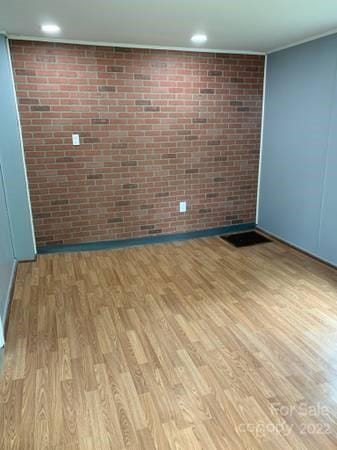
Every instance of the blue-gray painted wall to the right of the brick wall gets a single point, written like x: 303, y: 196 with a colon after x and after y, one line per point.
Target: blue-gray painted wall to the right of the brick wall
x: 298, y: 181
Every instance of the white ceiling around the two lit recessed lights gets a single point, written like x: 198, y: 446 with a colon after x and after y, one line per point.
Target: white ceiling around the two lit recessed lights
x: 238, y: 25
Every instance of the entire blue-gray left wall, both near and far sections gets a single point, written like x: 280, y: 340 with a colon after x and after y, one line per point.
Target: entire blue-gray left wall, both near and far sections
x: 16, y: 231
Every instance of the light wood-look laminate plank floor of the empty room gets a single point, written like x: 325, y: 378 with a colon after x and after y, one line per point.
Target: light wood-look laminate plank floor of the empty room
x: 176, y: 346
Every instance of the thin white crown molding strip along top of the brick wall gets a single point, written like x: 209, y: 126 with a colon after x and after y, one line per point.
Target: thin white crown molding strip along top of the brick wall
x: 150, y: 47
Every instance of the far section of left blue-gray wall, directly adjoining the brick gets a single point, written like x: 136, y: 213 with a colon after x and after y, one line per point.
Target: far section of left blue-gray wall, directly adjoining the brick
x: 13, y: 164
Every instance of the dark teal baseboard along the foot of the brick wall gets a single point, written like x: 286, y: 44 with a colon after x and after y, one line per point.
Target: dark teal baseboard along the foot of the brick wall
x: 134, y: 242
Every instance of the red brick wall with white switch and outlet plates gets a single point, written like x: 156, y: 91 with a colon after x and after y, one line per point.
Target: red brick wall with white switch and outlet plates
x: 156, y: 127
